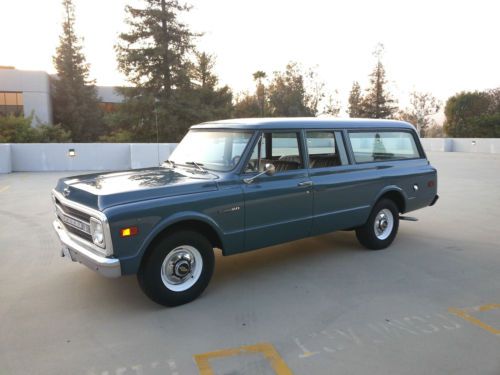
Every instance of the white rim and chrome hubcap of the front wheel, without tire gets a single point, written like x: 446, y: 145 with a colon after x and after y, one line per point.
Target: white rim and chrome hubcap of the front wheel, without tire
x: 181, y: 268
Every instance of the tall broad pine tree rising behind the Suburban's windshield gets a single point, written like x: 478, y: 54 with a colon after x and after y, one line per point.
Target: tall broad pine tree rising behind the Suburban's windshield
x: 154, y: 55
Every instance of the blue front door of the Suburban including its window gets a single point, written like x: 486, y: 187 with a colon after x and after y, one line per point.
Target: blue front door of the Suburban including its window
x: 278, y: 208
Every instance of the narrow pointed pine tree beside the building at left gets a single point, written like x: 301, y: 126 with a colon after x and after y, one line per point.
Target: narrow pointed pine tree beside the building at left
x: 74, y: 96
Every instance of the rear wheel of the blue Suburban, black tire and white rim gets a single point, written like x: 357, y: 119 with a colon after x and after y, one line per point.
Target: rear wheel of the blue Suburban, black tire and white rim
x: 381, y: 227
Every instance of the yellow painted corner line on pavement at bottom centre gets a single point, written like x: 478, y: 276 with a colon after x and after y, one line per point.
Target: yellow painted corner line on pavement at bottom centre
x: 270, y: 353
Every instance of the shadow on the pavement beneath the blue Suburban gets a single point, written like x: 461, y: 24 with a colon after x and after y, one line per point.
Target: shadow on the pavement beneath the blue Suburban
x: 124, y: 294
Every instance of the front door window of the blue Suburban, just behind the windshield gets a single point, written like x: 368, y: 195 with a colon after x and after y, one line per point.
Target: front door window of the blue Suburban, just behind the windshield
x: 278, y: 148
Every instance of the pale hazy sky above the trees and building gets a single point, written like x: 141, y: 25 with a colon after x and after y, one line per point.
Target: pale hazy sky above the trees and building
x: 436, y: 46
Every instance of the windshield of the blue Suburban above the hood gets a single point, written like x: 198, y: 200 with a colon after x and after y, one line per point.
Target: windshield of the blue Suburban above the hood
x: 213, y: 150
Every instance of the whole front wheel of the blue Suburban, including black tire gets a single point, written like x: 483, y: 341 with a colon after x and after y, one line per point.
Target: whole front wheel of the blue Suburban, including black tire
x: 177, y: 269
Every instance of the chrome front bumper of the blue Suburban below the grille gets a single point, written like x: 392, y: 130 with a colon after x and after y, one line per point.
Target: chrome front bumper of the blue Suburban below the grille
x: 108, y: 267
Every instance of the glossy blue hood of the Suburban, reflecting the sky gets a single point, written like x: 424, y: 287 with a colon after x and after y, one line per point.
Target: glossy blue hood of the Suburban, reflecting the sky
x: 102, y: 190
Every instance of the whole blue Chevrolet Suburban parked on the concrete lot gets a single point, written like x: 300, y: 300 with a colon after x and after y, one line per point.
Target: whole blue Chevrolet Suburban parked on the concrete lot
x: 239, y: 185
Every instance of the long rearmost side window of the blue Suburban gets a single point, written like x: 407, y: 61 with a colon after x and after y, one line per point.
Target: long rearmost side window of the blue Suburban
x: 382, y: 145
